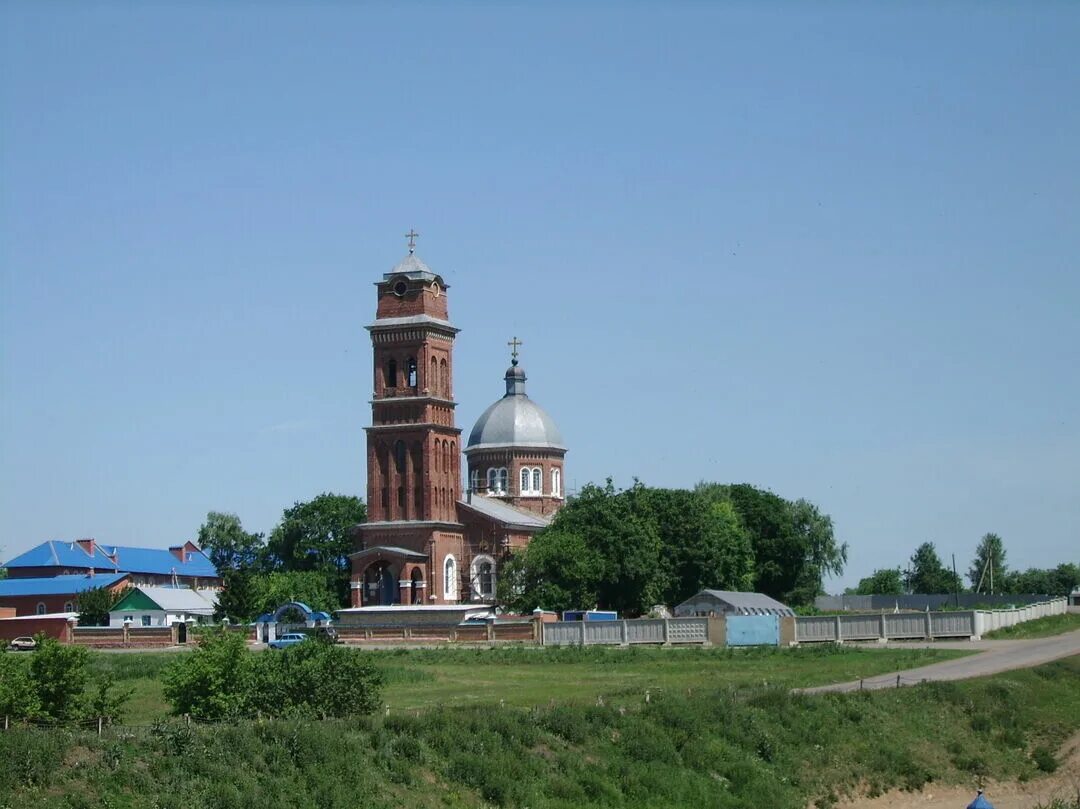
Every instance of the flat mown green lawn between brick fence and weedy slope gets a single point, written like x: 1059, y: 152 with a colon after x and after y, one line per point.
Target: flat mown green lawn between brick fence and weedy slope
x: 425, y: 679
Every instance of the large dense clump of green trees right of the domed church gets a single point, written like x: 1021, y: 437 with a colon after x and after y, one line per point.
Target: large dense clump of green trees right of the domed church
x: 632, y: 549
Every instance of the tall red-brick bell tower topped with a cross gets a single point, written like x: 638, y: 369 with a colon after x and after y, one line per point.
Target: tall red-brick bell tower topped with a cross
x: 414, y: 468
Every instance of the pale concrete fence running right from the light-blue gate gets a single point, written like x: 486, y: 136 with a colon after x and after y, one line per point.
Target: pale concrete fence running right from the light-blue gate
x: 919, y: 626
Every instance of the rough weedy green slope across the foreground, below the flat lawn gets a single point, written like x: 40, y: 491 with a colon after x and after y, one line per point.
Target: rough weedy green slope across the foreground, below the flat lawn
x: 715, y: 747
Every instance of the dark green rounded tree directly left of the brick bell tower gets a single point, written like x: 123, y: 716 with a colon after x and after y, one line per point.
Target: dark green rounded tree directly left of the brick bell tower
x: 317, y: 536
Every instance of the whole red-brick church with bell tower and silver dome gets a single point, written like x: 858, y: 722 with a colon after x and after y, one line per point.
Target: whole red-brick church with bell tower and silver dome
x: 433, y: 538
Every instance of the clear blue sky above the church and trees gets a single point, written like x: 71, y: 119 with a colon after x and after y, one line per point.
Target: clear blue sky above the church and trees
x: 829, y: 249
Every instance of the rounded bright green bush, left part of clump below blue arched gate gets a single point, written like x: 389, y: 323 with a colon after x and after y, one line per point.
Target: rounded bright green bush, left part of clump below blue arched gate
x: 215, y: 681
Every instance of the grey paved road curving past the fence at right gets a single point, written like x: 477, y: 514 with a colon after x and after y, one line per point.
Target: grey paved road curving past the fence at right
x: 993, y: 657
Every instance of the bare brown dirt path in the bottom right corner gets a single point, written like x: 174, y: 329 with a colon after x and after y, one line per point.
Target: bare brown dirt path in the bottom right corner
x: 1065, y: 784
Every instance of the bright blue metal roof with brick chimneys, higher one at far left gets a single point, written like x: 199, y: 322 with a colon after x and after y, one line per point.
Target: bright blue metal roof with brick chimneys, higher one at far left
x: 160, y: 561
